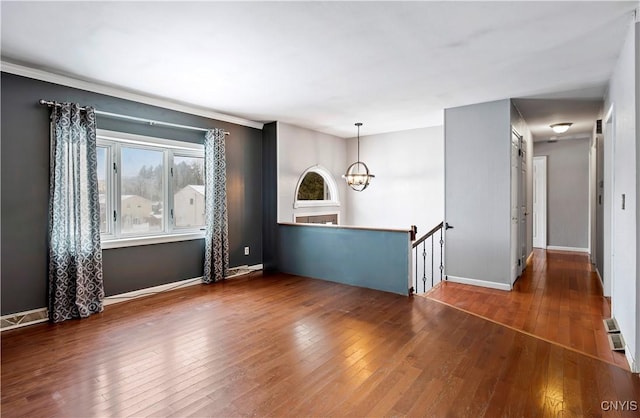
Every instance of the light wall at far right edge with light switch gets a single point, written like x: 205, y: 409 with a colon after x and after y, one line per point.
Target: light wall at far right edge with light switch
x: 621, y: 144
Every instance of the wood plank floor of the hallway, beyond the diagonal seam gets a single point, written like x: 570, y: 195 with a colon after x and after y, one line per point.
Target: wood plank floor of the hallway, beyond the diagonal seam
x: 559, y: 298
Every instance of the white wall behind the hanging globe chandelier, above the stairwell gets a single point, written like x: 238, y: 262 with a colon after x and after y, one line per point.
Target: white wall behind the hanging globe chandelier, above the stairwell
x: 409, y: 185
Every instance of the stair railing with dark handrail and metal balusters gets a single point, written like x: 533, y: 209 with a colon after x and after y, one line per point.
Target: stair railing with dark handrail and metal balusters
x: 429, y: 258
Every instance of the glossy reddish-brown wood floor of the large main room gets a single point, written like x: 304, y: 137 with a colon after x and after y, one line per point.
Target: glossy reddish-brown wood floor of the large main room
x: 281, y: 345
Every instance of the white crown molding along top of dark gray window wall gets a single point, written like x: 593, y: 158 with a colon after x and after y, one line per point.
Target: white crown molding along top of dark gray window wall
x: 21, y: 70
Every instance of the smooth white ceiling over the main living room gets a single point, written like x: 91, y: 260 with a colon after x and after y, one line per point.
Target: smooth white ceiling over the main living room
x: 326, y: 65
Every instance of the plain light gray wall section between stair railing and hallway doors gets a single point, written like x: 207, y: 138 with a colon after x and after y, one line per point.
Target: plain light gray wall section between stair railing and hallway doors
x: 477, y: 192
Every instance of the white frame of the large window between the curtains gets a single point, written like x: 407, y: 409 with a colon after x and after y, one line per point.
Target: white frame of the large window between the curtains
x: 113, y: 142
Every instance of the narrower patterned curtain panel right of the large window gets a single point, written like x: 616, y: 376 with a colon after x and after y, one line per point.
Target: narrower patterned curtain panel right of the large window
x: 216, y: 240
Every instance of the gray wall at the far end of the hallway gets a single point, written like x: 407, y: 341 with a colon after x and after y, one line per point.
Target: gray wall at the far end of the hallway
x: 567, y: 192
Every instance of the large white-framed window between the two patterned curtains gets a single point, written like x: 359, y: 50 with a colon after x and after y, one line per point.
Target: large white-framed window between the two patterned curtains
x: 151, y: 189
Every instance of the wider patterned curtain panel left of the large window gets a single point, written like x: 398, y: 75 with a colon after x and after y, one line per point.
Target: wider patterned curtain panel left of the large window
x: 75, y: 256
